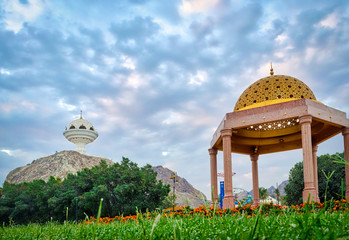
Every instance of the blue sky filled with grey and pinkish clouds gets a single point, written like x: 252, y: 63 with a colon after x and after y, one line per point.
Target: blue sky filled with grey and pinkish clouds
x: 155, y: 78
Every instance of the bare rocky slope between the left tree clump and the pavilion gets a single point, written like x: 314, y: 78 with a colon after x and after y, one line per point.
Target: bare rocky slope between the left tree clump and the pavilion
x: 186, y: 194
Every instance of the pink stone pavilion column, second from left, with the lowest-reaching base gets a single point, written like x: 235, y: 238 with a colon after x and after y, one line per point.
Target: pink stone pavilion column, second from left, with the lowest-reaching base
x: 228, y: 201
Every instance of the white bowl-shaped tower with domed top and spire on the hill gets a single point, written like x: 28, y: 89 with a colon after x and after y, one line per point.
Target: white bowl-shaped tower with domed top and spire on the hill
x: 80, y: 132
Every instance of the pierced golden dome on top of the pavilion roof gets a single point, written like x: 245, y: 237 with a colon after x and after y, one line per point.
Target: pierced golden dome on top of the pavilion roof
x: 273, y: 89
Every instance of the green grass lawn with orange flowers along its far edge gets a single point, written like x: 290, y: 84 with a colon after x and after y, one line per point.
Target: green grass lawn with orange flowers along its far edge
x: 266, y: 222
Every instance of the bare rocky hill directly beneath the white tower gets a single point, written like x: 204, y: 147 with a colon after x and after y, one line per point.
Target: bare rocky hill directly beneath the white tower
x: 59, y: 165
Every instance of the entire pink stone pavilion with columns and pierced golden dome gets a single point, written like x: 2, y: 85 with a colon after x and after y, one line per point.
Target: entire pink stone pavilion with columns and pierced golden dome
x: 275, y: 114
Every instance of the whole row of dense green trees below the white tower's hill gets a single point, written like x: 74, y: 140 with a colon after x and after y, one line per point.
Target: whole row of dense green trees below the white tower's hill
x: 124, y: 186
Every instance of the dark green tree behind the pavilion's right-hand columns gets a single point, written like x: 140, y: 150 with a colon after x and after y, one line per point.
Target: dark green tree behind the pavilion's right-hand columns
x: 294, y: 188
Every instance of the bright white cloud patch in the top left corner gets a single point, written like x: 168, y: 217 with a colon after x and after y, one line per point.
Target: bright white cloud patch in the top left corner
x: 16, y: 13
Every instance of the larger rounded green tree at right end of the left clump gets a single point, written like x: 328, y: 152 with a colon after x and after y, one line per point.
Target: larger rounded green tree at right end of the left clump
x: 124, y: 187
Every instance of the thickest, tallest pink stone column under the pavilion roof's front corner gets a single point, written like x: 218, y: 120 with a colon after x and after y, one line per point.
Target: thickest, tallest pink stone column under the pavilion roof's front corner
x: 308, y: 168
